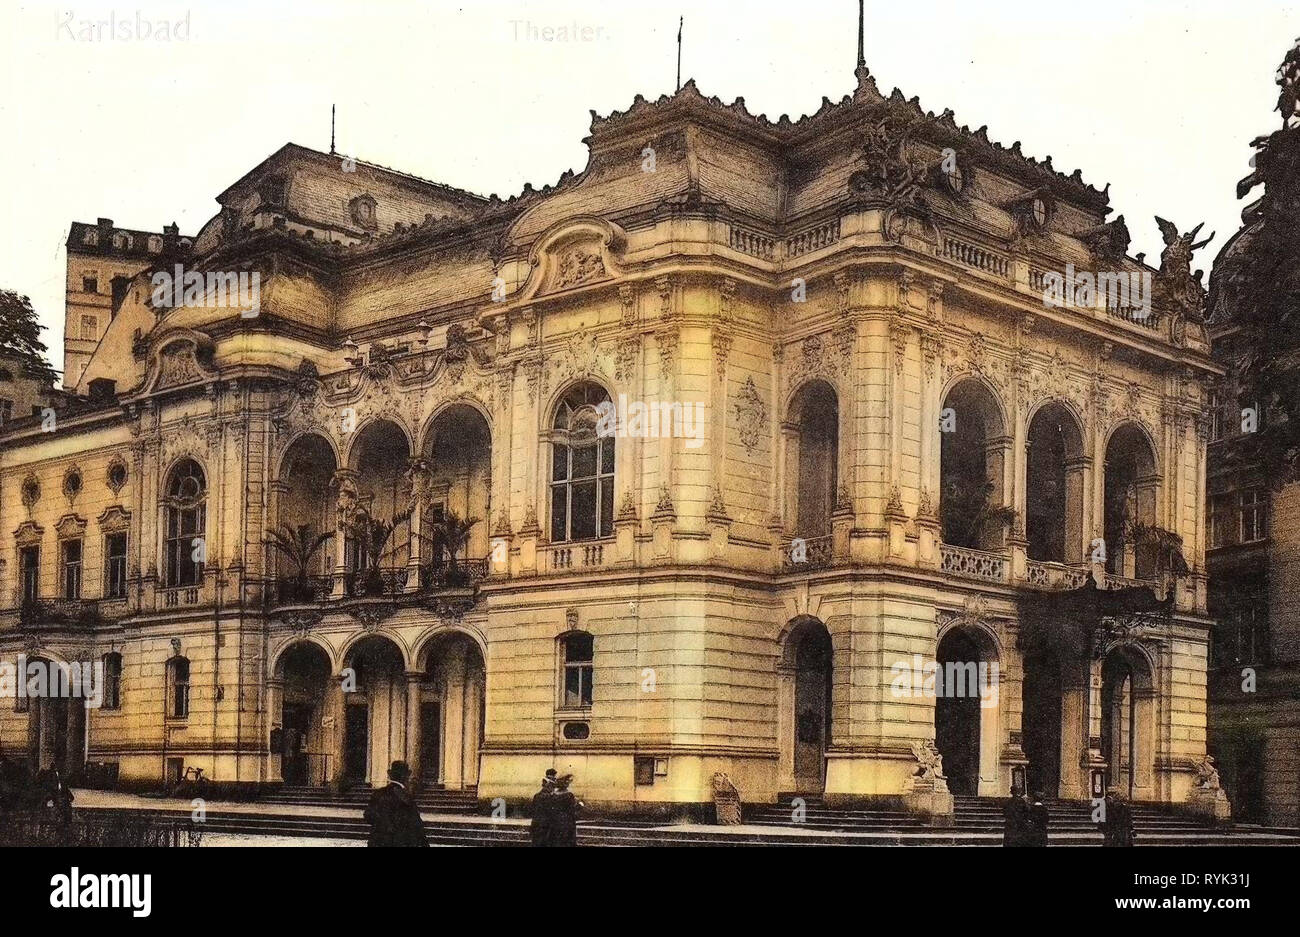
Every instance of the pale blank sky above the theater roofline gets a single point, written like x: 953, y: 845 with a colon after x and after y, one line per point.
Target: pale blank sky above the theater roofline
x: 1162, y: 99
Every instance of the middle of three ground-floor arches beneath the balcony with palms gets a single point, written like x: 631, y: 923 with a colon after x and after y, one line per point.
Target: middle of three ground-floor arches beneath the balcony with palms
x: 375, y: 702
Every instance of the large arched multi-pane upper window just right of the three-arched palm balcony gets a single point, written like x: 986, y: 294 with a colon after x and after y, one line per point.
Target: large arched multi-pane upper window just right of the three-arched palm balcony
x: 582, y: 468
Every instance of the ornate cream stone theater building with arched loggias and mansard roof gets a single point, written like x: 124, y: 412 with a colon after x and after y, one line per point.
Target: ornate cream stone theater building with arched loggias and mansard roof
x: 643, y: 613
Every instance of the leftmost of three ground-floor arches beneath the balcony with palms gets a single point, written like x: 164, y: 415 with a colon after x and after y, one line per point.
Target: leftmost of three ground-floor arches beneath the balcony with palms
x: 305, y: 753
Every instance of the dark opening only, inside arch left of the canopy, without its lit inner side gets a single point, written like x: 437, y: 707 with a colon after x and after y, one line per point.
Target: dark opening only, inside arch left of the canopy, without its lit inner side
x: 957, y: 713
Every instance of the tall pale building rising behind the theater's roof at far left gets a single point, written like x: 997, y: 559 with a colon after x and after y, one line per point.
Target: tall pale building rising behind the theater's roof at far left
x: 102, y: 261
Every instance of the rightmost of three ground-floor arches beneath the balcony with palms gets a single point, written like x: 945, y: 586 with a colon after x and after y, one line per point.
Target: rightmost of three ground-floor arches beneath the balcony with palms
x: 450, y: 697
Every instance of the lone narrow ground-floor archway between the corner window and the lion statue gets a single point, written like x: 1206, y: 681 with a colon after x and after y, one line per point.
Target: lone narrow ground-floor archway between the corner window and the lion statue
x: 807, y: 678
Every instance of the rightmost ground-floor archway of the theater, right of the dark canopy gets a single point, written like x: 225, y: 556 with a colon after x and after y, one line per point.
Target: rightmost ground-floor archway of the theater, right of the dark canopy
x: 1129, y: 722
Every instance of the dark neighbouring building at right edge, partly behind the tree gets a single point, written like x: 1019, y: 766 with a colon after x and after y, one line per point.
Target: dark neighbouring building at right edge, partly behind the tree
x: 1254, y: 558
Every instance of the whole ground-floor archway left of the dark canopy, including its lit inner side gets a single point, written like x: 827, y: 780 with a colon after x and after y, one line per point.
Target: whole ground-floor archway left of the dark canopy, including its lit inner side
x: 967, y: 709
